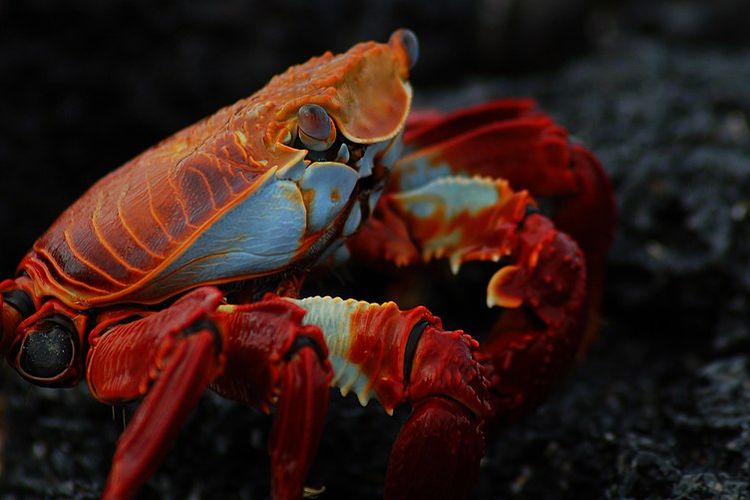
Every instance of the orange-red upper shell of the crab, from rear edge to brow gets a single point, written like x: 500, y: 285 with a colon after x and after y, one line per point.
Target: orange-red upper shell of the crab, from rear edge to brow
x: 131, y: 225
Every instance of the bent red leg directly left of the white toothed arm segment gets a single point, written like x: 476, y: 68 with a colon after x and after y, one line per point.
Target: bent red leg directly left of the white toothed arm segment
x: 273, y: 359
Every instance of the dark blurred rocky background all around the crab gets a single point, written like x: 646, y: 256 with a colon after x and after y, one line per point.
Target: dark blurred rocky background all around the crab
x: 659, y: 90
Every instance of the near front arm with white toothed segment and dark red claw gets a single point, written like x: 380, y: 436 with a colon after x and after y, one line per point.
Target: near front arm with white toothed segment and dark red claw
x: 394, y: 356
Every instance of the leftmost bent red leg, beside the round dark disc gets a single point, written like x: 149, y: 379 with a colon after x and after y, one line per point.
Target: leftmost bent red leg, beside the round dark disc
x: 169, y: 357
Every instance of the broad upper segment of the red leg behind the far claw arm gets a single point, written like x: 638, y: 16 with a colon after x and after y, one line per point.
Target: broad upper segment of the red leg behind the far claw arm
x: 502, y: 139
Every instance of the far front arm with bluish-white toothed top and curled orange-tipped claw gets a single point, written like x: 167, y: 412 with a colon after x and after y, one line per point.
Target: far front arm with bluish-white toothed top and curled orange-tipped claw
x: 541, y: 281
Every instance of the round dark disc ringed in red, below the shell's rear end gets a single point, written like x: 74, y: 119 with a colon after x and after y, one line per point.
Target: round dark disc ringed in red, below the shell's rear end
x: 48, y: 352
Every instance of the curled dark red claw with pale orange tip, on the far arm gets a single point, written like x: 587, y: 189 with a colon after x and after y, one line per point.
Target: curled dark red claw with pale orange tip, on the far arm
x: 536, y: 339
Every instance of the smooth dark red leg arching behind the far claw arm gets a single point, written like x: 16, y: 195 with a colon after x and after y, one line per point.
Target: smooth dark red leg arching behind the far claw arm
x: 509, y: 139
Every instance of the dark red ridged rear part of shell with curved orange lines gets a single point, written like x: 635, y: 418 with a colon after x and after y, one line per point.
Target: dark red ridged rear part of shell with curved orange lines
x: 134, y: 220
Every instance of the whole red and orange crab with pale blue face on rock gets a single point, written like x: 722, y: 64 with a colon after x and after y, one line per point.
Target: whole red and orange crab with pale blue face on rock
x: 182, y: 270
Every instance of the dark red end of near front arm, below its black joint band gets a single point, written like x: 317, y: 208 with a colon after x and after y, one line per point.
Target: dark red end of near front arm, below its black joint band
x: 438, y: 450
